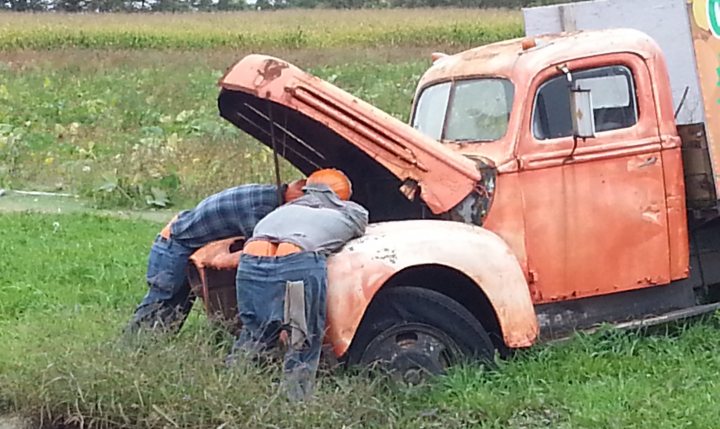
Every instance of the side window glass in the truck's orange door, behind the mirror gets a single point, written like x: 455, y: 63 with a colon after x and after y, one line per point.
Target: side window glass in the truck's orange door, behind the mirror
x: 613, y: 98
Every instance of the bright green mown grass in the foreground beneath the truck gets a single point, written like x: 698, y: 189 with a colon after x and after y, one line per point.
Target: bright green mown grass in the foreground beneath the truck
x: 70, y: 282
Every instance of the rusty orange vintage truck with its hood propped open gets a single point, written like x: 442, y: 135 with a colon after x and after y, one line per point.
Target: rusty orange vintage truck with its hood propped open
x: 544, y: 184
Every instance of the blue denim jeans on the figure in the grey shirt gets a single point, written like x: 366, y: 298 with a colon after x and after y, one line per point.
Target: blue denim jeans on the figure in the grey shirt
x: 262, y: 284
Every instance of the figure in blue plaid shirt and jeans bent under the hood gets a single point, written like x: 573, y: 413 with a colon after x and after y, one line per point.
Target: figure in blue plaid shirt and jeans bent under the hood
x: 229, y: 213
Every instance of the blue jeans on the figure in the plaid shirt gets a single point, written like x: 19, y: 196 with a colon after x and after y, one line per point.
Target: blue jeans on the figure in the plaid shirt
x: 169, y: 299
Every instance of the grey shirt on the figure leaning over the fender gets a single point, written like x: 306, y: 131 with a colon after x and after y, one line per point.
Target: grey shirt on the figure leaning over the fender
x: 318, y: 221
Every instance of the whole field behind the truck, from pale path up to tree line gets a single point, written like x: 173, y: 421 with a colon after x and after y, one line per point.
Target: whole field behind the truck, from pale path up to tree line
x: 122, y: 108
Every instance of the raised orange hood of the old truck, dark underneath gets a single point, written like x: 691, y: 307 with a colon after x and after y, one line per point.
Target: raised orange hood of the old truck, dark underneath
x: 318, y: 125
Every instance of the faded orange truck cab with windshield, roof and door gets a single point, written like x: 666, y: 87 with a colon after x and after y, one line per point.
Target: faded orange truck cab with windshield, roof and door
x: 616, y: 198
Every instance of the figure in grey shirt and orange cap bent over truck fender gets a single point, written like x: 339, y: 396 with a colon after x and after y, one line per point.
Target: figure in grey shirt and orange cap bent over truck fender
x: 282, y: 276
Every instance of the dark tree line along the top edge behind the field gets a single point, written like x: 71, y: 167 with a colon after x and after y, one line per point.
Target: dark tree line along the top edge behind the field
x: 229, y: 5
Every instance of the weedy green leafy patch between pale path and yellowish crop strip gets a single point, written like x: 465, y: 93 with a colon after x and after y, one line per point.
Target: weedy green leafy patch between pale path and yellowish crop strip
x: 118, y: 132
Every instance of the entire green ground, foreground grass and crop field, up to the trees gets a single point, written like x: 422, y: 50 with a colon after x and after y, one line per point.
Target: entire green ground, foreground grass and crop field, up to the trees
x: 121, y: 110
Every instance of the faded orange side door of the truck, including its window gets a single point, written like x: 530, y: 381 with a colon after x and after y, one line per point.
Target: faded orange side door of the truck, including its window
x: 596, y: 218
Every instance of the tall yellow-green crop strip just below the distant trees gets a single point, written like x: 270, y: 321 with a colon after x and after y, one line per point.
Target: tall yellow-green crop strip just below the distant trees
x: 259, y: 30
